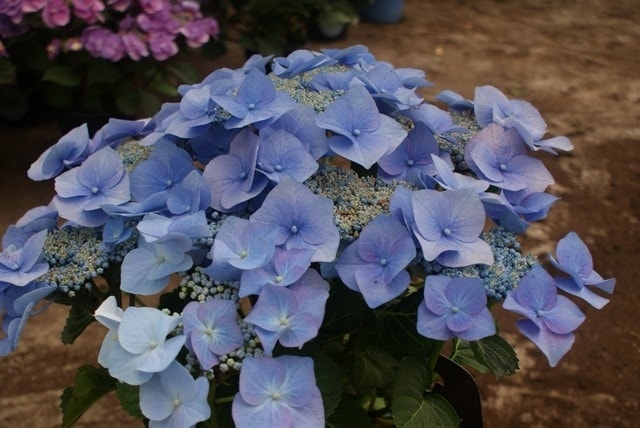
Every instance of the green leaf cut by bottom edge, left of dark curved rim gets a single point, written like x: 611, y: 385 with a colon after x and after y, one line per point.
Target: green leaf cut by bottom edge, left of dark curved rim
x: 431, y: 412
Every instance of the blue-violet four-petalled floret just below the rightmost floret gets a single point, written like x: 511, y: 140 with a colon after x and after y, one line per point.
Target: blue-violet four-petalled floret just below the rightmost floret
x: 550, y: 318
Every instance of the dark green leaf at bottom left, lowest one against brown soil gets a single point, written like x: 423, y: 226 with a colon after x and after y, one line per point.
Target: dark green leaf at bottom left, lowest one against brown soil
x: 90, y: 384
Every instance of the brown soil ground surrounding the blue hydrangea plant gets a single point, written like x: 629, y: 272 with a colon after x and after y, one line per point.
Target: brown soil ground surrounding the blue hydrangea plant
x: 578, y: 62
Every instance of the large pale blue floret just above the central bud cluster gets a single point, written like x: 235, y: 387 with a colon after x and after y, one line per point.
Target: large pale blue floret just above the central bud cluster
x: 361, y: 133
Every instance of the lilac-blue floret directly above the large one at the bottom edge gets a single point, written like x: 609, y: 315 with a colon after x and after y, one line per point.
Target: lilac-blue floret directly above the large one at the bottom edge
x: 287, y: 316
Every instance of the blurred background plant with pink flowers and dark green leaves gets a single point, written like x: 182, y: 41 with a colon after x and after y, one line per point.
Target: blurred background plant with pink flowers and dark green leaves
x: 114, y: 57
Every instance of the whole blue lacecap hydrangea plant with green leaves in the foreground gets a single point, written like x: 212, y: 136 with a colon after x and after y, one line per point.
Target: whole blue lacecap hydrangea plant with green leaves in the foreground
x: 316, y: 236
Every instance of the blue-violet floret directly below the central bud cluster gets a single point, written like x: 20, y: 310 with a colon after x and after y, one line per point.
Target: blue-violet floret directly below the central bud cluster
x: 375, y: 263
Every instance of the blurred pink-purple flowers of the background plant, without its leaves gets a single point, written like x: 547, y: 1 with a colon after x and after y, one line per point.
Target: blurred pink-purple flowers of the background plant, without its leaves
x: 109, y: 29
